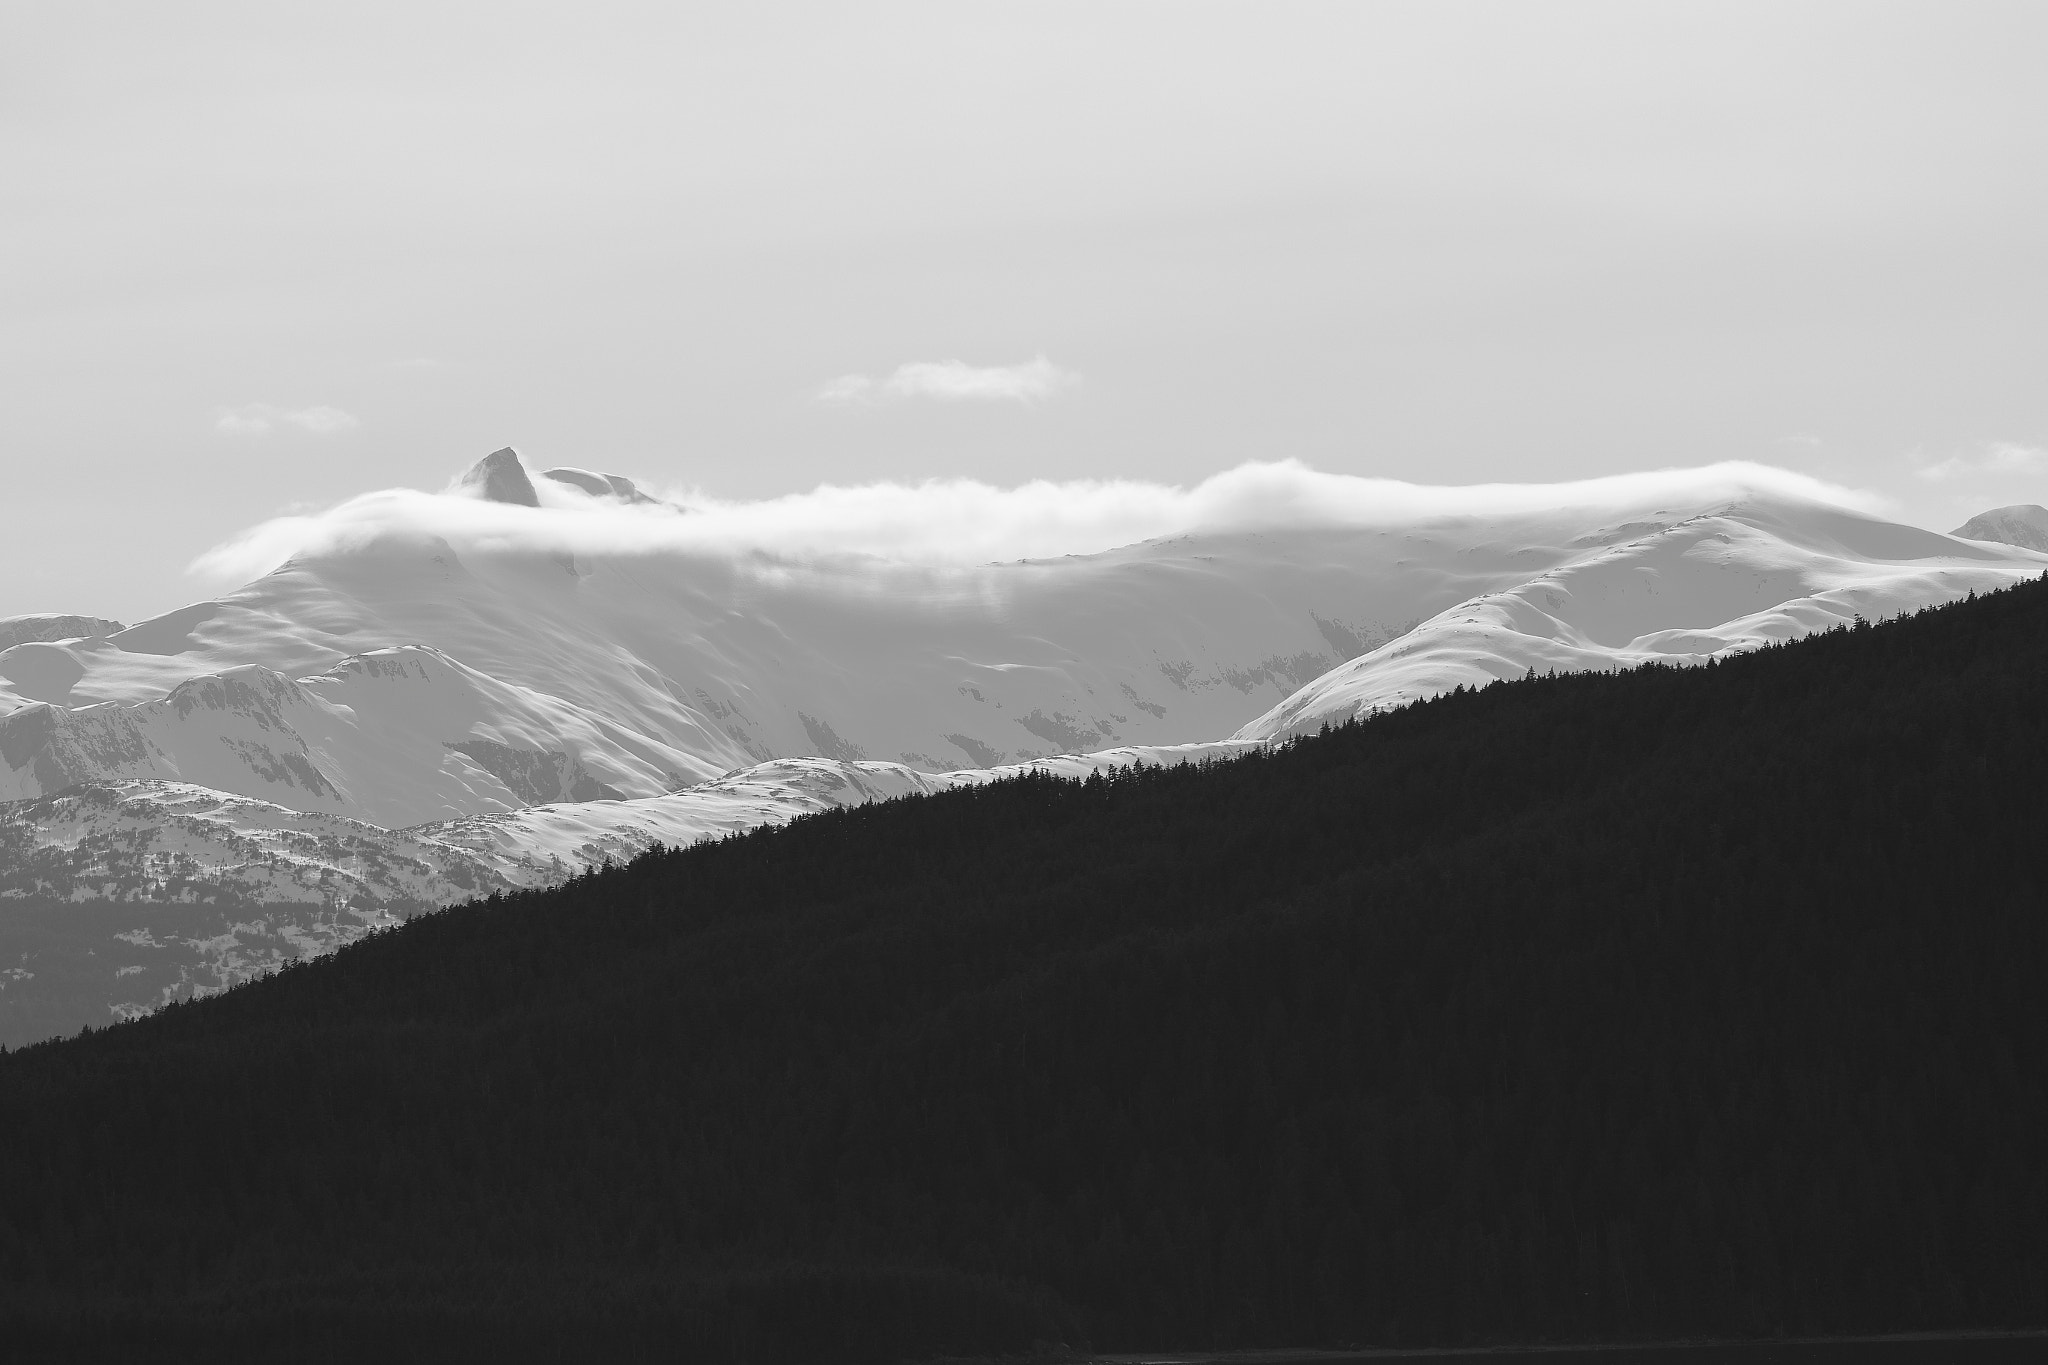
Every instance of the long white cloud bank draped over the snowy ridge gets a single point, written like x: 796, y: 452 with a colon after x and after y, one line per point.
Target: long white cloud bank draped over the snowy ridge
x: 964, y: 523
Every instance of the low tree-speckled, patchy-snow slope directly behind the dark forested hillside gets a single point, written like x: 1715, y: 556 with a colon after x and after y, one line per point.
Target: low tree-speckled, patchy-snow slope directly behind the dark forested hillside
x: 120, y: 897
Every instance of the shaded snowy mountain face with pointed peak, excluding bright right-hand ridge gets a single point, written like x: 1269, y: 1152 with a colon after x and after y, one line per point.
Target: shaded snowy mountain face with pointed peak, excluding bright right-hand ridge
x: 409, y: 678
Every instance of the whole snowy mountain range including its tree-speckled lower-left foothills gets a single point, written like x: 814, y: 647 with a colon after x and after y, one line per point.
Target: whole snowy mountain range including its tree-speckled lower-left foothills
x: 519, y: 678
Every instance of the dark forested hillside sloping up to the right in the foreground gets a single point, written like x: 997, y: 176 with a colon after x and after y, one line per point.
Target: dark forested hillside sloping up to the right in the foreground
x: 1687, y: 1002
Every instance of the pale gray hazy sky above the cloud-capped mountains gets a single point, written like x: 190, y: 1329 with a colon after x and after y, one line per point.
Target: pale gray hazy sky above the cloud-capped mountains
x: 278, y: 255
